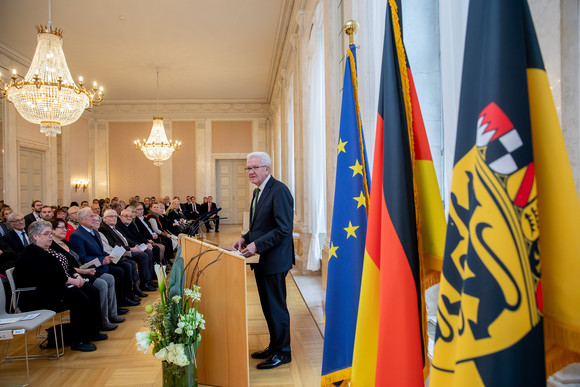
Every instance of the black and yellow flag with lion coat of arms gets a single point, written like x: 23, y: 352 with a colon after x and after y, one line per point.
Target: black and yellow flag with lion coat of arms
x: 513, y: 209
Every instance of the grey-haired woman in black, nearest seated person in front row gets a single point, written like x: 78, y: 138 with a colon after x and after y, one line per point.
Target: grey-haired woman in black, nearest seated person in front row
x: 57, y: 288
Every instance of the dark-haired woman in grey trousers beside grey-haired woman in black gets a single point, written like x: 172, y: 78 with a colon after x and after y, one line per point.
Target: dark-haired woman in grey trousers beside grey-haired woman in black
x: 105, y: 283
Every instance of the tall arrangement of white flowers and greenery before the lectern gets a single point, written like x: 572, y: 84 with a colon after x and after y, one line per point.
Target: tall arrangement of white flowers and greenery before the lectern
x: 175, y: 323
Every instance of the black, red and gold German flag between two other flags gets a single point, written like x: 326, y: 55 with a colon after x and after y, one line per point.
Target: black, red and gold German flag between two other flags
x: 405, y: 233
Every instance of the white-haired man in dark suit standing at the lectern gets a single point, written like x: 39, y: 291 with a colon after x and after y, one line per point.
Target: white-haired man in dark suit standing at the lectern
x: 270, y: 235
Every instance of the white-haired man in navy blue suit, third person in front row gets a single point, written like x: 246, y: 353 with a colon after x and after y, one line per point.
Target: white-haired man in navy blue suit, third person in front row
x: 88, y: 245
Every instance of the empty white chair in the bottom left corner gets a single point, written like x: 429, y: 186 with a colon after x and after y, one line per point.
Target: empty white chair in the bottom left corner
x: 7, y: 330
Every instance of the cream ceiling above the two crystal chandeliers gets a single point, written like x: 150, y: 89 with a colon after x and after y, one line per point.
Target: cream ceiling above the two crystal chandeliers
x: 218, y: 50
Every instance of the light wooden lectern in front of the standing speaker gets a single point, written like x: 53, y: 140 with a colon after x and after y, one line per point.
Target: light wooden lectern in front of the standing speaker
x: 222, y: 358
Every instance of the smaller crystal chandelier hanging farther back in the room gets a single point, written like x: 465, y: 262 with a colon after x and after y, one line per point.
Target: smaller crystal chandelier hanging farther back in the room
x: 157, y: 148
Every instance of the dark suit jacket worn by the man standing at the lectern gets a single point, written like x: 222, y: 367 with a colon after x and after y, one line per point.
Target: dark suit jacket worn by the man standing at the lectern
x: 271, y: 230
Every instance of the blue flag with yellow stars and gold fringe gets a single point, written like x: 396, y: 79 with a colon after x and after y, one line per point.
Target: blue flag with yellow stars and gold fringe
x: 348, y: 234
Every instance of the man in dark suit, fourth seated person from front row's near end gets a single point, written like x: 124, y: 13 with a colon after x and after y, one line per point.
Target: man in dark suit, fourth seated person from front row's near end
x: 143, y: 259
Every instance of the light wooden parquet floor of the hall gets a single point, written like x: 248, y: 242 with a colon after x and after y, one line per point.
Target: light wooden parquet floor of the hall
x: 117, y: 362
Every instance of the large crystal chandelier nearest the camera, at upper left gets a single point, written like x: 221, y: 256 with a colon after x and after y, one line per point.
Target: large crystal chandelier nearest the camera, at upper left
x: 48, y: 95
